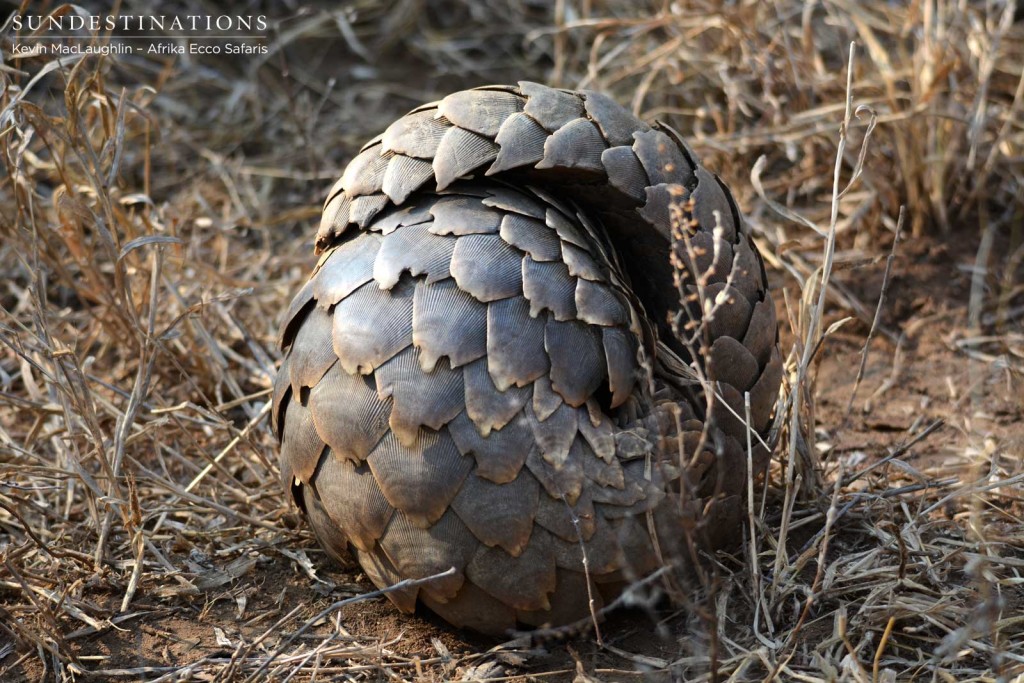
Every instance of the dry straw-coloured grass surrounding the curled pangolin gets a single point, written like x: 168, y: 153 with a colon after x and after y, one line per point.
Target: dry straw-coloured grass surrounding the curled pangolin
x: 156, y: 216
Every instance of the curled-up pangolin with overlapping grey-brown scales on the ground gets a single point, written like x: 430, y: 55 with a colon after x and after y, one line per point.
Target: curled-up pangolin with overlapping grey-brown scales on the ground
x: 490, y: 368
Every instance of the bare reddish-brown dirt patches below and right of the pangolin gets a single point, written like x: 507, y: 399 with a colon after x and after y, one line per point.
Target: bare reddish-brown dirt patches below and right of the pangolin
x: 918, y: 373
